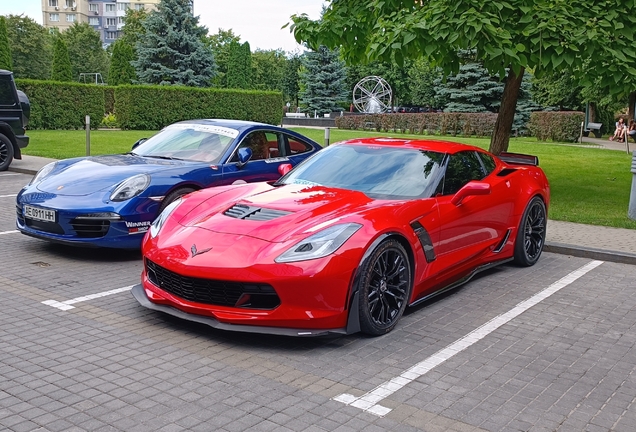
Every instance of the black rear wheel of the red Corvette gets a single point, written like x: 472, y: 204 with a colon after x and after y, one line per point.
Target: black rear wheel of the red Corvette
x: 531, y: 233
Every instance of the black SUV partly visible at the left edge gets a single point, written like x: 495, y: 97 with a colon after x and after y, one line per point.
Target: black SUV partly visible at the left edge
x: 14, y: 116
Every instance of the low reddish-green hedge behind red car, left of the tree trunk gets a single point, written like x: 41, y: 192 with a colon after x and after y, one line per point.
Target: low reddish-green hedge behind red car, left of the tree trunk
x: 467, y: 124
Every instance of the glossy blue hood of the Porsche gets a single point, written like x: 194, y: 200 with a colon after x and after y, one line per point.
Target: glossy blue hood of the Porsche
x: 93, y: 174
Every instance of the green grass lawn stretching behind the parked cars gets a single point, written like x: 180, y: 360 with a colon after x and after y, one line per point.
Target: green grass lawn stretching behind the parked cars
x: 588, y: 185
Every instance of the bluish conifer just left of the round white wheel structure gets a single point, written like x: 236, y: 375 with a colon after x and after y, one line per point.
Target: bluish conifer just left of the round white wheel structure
x: 323, y: 81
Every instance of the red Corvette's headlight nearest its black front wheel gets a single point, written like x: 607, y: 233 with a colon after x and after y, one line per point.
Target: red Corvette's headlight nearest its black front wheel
x: 320, y: 244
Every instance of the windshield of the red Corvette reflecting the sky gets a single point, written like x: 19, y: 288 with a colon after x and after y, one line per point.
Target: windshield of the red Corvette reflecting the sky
x: 379, y: 172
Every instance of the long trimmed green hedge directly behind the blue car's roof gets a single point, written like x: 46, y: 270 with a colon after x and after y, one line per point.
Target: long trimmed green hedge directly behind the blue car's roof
x: 153, y: 107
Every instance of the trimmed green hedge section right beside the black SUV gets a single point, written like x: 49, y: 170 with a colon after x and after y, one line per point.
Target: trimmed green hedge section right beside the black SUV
x: 62, y: 105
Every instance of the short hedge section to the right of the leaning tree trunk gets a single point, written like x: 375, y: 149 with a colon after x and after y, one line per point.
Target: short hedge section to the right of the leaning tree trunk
x: 560, y: 126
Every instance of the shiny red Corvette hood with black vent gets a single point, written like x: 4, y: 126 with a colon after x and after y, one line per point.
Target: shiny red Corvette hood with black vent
x: 278, y: 214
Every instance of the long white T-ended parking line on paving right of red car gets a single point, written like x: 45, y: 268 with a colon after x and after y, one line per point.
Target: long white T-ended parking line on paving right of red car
x: 369, y: 401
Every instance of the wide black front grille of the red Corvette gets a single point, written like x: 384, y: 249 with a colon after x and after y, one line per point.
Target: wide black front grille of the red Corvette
x: 213, y: 292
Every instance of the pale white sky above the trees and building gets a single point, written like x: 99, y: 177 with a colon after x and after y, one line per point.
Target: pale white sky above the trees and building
x: 258, y: 22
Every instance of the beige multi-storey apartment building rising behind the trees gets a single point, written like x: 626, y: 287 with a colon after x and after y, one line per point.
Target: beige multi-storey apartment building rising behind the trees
x: 105, y: 16
